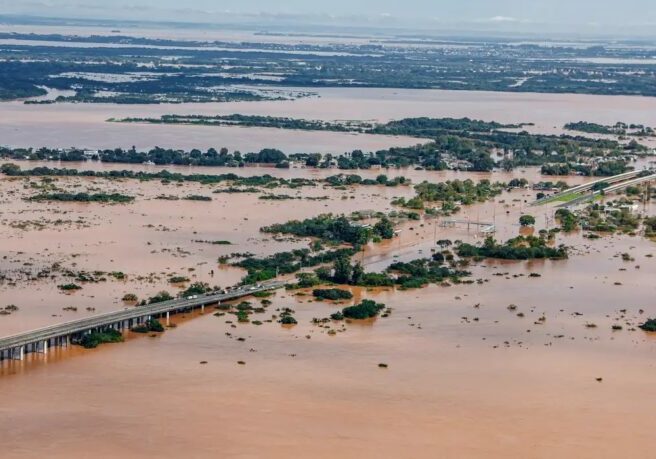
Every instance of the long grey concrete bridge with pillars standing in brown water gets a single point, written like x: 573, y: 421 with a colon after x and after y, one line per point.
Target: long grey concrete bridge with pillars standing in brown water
x: 16, y: 346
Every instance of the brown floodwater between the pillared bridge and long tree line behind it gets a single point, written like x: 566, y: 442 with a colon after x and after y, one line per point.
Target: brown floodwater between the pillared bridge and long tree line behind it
x: 152, y: 240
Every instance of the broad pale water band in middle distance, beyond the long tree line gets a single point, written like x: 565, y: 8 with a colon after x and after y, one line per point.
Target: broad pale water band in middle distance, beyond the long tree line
x: 86, y: 126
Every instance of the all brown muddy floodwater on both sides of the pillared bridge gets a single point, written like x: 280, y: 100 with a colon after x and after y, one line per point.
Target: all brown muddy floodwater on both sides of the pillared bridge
x: 466, y: 377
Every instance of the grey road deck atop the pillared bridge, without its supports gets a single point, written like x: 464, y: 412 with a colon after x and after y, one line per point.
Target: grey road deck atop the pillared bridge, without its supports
x: 110, y: 318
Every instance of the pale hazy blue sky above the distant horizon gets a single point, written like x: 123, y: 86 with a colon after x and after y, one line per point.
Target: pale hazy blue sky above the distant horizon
x: 625, y: 17
